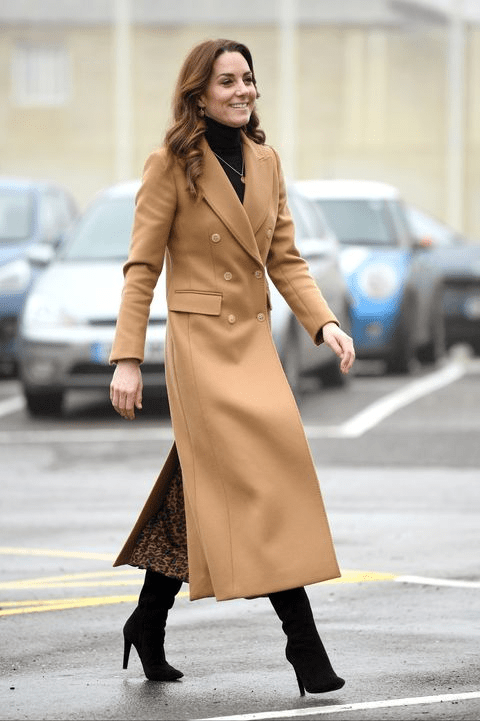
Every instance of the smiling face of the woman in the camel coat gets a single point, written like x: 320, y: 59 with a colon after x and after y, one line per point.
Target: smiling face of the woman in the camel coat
x: 230, y: 94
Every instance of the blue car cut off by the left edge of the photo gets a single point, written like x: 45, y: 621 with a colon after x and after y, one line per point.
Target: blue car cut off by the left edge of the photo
x: 33, y: 216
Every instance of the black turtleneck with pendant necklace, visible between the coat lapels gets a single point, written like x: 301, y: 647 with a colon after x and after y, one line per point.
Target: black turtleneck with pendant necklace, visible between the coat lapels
x: 226, y: 143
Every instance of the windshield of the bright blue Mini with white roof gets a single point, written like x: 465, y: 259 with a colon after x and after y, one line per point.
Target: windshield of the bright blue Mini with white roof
x: 362, y: 222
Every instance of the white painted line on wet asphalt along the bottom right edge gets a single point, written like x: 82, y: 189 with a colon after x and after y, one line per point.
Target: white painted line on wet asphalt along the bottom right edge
x: 368, y: 705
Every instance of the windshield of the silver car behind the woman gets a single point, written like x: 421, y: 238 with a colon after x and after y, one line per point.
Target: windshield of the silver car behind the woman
x: 103, y: 232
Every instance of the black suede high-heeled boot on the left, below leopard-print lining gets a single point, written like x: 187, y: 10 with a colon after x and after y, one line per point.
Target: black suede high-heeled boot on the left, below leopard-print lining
x: 145, y: 628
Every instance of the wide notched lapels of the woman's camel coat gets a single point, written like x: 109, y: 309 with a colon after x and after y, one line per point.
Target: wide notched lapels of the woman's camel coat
x: 243, y: 221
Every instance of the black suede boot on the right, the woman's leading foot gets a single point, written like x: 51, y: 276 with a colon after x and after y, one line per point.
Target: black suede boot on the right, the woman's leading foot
x: 304, y: 650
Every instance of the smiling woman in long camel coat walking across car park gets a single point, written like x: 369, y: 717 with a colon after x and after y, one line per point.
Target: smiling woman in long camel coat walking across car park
x: 213, y: 206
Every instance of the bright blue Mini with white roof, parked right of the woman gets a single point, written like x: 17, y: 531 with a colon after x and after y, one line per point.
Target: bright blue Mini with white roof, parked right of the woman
x: 396, y: 294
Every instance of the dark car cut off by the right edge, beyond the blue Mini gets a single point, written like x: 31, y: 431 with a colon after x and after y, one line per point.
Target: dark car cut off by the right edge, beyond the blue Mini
x: 456, y: 260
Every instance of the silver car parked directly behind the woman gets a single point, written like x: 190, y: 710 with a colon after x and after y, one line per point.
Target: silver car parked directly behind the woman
x: 69, y: 318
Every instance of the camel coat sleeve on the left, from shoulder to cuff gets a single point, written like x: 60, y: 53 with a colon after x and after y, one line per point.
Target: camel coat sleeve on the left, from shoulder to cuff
x: 155, y: 208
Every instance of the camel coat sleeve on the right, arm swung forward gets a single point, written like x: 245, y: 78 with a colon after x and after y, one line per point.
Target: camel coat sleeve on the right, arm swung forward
x: 290, y: 274
